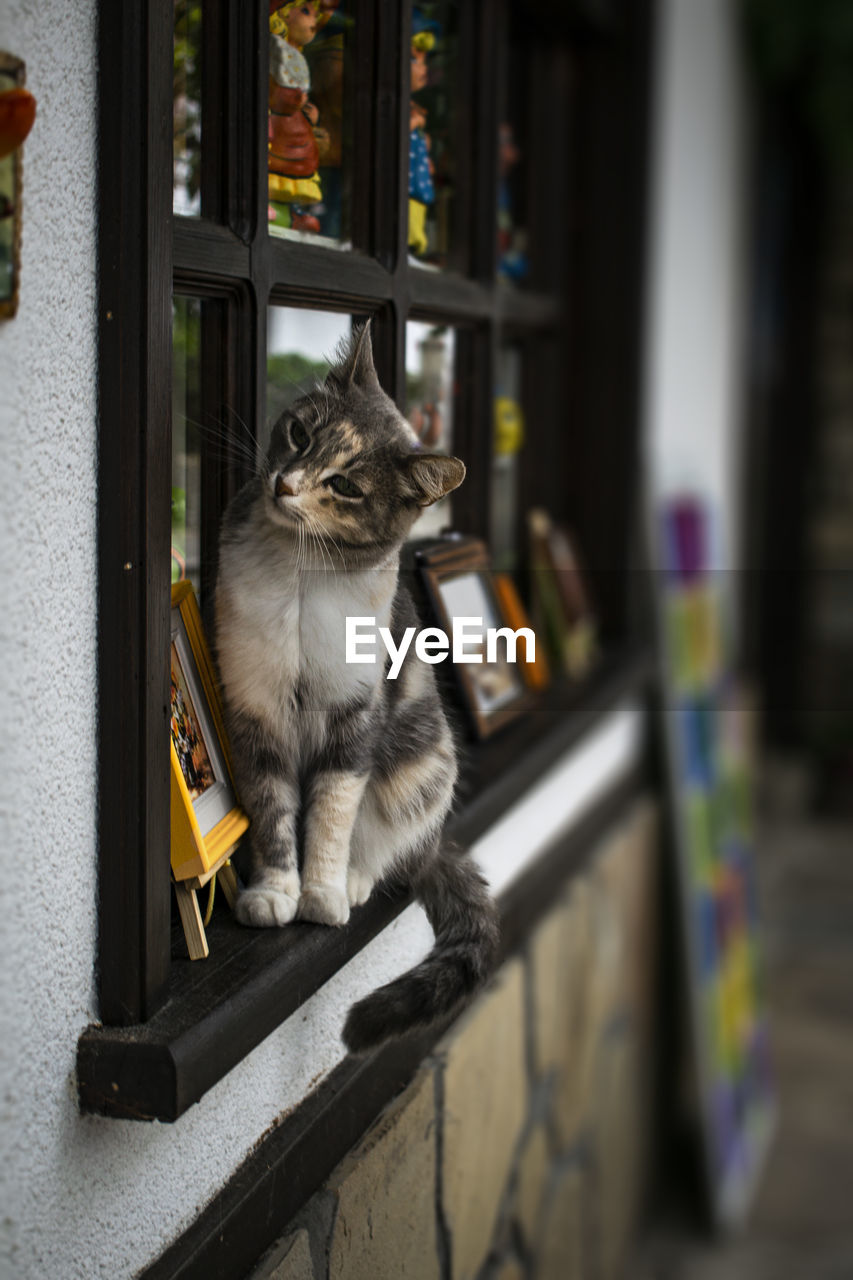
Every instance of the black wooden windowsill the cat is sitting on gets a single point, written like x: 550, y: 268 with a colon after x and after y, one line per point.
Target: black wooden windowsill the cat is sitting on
x: 222, y: 1008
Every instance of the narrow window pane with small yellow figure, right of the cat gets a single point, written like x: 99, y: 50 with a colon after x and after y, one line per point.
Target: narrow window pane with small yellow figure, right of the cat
x: 509, y: 440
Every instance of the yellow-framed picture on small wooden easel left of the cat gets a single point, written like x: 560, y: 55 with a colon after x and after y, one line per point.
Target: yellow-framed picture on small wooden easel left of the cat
x: 207, y: 820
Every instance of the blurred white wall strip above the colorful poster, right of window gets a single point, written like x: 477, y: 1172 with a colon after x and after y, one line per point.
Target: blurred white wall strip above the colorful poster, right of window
x: 697, y: 264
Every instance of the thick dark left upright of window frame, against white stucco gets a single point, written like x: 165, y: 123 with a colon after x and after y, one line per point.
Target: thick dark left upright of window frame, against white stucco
x: 135, y: 269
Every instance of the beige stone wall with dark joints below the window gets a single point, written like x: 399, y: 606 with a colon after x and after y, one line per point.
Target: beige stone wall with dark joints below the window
x: 521, y: 1149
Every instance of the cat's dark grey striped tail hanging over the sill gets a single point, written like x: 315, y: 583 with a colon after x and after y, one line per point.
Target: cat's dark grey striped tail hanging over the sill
x: 464, y: 920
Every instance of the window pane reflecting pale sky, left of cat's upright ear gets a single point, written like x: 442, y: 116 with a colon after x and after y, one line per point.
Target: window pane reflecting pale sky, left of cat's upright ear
x: 300, y: 348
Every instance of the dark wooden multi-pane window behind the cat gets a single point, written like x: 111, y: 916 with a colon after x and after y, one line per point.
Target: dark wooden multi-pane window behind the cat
x: 227, y: 281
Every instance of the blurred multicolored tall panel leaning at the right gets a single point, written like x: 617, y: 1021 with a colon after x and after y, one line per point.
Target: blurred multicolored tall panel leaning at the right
x: 711, y: 779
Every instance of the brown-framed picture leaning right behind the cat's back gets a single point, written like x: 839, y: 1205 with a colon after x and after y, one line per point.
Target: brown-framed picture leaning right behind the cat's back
x: 459, y: 586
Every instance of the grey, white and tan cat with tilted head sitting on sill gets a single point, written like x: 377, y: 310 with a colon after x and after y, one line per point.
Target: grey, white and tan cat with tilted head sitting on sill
x: 355, y: 769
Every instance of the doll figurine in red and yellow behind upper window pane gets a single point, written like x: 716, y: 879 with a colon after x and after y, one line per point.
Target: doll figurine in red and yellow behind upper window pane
x: 294, y: 157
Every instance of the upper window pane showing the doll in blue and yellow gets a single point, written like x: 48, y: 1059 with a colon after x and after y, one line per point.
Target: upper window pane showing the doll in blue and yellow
x: 432, y: 143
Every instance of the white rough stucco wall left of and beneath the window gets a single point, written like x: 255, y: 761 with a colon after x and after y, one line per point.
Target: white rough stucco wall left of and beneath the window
x: 84, y: 1197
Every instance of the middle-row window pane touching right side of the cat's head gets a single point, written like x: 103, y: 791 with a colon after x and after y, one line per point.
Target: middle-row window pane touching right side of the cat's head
x: 431, y: 362
